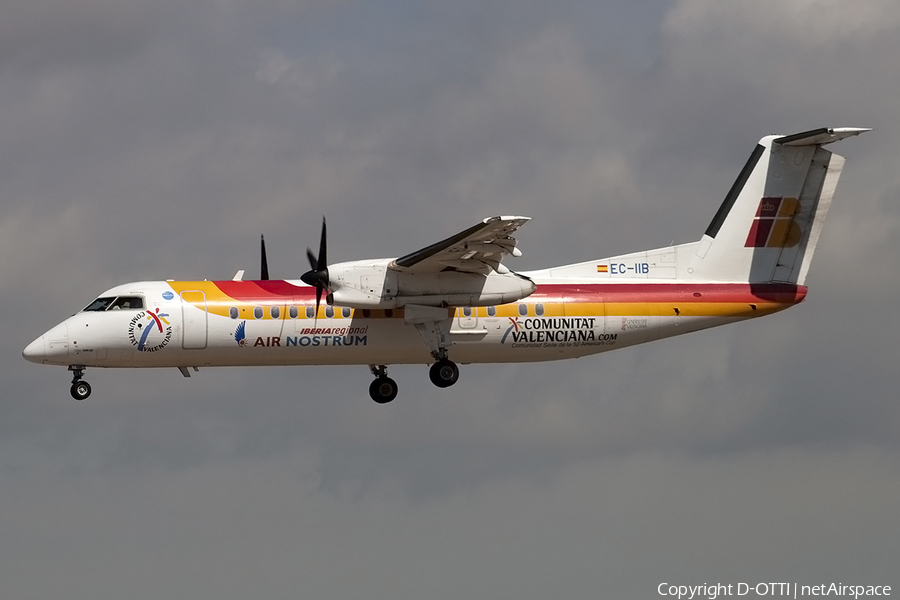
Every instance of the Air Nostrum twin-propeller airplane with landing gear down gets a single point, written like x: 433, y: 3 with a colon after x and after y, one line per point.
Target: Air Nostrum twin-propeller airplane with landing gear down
x: 455, y: 300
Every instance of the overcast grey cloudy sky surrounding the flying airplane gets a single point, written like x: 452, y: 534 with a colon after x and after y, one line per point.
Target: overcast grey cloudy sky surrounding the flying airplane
x: 153, y: 139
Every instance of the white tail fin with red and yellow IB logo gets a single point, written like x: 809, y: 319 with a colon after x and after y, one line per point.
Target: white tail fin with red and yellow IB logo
x: 767, y: 228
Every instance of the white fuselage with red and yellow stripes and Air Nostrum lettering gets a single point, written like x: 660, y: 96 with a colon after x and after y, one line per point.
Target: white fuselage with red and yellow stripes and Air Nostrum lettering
x: 196, y: 324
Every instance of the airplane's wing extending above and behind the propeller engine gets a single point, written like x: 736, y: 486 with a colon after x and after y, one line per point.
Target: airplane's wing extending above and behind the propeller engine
x: 478, y: 249
